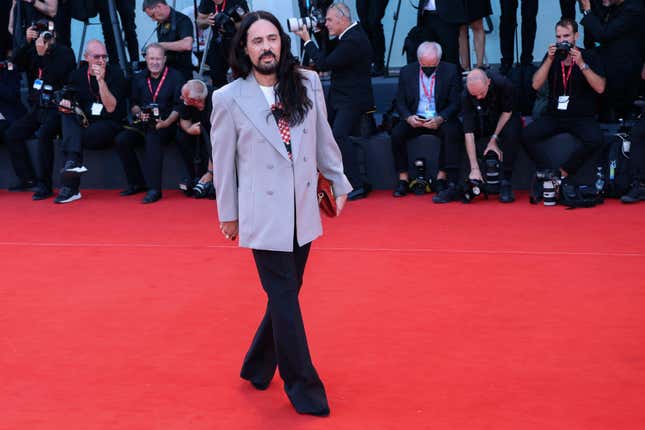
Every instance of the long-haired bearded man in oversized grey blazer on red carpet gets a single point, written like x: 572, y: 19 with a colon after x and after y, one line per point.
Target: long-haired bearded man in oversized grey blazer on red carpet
x: 270, y: 137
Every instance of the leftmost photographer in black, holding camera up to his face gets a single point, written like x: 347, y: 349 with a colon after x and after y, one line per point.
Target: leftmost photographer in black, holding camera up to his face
x: 48, y: 66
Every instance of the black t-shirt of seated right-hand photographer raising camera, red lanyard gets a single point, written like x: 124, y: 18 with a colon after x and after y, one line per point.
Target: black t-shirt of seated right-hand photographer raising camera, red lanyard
x: 583, y: 100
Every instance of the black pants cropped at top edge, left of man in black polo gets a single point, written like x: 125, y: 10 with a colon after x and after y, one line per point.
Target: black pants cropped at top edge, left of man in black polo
x: 126, y: 10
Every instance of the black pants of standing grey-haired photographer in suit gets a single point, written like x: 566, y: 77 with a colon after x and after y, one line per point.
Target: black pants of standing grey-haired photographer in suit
x: 343, y: 122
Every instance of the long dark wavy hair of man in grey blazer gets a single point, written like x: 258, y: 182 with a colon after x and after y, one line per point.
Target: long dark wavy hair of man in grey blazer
x: 290, y: 90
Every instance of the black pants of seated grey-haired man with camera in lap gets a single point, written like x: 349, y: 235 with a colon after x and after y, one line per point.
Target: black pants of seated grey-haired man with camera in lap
x: 154, y: 141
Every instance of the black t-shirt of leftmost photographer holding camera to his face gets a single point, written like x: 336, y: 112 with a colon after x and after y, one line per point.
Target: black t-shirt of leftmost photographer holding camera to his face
x: 53, y: 68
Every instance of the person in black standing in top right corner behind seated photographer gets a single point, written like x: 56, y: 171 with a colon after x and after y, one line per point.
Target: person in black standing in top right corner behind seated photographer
x: 614, y: 32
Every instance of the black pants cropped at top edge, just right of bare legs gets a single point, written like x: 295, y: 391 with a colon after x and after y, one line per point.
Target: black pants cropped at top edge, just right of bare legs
x: 507, y: 25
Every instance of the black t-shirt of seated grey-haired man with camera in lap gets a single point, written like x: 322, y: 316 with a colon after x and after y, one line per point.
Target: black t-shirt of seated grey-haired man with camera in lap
x: 169, y: 93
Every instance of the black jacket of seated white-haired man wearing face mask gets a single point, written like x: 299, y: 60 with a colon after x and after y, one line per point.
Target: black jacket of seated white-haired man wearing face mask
x: 447, y: 91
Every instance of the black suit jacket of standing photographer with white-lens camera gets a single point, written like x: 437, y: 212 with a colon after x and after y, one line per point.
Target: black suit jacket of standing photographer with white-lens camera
x: 349, y: 63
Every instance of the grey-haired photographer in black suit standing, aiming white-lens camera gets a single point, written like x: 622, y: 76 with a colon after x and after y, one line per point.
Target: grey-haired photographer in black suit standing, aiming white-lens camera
x: 350, y: 93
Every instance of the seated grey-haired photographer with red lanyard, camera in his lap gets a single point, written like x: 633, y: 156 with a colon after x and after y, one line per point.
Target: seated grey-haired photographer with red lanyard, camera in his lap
x: 155, y: 99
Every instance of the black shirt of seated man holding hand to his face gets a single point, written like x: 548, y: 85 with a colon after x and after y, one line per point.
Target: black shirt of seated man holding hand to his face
x: 88, y: 91
